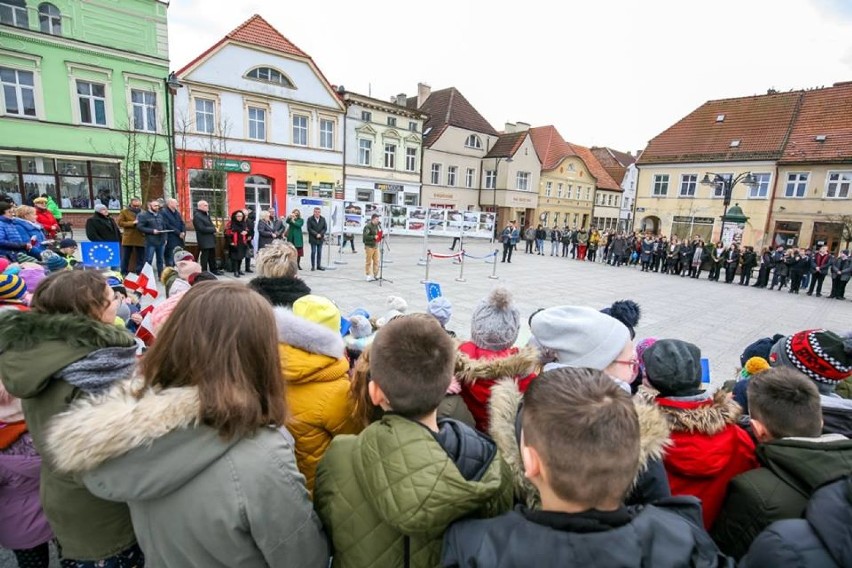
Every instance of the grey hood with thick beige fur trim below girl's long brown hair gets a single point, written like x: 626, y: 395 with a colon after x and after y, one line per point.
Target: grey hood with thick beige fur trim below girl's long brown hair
x: 134, y: 446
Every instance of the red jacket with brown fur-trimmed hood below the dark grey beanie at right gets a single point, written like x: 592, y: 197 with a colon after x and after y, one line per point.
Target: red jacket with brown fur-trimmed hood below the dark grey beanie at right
x: 707, y: 450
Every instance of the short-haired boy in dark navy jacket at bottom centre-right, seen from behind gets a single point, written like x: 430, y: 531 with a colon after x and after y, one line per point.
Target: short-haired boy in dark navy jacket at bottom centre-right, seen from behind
x: 580, y: 438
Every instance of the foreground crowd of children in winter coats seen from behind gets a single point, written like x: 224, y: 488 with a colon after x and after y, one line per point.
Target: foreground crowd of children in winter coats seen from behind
x: 260, y: 426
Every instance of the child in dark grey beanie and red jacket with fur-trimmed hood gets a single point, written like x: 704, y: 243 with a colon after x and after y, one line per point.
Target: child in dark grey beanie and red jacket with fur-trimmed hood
x: 708, y: 447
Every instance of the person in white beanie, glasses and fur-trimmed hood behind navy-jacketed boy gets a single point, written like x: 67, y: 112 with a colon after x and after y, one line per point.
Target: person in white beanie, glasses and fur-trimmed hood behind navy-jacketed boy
x: 574, y: 336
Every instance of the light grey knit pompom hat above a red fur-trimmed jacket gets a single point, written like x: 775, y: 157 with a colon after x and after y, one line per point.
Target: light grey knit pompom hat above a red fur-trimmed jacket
x: 495, y: 322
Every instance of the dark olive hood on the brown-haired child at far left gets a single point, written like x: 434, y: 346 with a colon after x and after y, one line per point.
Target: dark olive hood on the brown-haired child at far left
x: 35, y: 346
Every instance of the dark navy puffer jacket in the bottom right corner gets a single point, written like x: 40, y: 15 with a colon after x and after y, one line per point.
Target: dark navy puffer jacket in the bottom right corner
x: 823, y: 539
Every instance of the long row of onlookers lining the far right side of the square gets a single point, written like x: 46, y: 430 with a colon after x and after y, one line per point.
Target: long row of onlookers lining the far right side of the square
x: 793, y: 268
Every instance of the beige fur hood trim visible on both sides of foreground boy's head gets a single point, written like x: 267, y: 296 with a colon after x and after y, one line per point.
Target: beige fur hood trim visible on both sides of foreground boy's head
x: 503, y: 408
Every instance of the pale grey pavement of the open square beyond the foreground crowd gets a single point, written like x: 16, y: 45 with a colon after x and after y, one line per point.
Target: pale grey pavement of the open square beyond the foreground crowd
x: 719, y: 318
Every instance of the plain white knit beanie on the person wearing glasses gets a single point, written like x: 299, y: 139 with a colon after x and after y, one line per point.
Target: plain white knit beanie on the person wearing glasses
x: 579, y: 336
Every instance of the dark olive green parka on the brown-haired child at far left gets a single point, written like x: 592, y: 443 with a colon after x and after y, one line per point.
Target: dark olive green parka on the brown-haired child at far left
x: 33, y: 348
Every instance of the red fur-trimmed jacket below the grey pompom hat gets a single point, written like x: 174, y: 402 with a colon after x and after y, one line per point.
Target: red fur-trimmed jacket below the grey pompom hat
x: 506, y: 363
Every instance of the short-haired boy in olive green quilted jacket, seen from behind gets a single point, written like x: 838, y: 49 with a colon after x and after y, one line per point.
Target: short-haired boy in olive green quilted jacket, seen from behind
x: 387, y: 495
